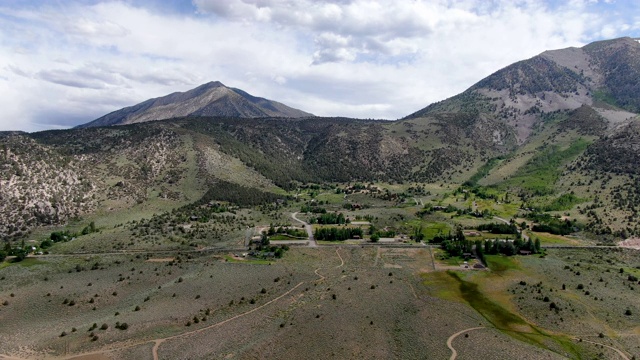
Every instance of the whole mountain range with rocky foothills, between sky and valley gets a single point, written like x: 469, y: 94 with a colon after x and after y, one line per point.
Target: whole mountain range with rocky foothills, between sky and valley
x: 540, y: 128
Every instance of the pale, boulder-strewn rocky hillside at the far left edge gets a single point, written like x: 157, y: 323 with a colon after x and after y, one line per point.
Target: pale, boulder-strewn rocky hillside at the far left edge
x: 39, y: 186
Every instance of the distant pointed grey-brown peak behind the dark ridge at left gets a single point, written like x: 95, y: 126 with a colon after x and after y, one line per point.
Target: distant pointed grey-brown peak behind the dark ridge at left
x: 210, y: 99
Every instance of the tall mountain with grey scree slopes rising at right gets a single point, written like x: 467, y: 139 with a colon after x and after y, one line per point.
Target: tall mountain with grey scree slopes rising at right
x: 603, y: 75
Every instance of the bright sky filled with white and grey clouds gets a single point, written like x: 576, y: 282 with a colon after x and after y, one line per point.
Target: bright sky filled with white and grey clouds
x: 64, y: 63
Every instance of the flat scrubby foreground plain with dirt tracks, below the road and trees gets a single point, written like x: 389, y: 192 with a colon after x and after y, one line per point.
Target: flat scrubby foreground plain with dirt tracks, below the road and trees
x: 325, y: 302
